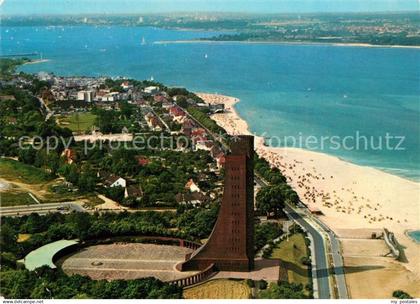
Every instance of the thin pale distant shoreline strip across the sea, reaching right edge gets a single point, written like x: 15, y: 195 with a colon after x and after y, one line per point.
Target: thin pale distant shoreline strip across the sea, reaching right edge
x: 366, y: 45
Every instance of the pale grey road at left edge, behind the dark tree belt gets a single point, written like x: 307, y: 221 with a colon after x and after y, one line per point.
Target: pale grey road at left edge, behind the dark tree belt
x: 41, y: 209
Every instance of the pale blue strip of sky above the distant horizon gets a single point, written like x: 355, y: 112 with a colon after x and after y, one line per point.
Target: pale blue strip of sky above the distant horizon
x: 49, y: 7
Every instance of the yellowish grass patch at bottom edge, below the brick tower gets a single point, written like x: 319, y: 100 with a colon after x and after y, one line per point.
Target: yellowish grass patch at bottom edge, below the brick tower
x: 219, y: 289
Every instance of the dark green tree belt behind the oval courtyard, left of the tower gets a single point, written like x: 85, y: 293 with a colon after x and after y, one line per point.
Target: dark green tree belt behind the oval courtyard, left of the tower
x: 193, y: 224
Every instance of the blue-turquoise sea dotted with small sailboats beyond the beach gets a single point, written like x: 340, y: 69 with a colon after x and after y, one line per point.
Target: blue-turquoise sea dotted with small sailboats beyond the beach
x: 305, y: 91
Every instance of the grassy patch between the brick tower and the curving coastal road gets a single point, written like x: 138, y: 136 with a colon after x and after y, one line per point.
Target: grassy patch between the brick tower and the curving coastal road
x: 291, y: 252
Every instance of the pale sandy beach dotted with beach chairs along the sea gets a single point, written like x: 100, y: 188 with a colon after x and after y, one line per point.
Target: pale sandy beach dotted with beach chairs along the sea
x: 352, y: 198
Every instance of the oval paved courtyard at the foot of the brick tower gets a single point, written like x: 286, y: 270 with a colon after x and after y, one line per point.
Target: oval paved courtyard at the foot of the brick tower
x: 127, y: 261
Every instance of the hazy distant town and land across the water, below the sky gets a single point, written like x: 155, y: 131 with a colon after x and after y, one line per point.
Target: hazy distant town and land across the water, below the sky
x: 380, y: 28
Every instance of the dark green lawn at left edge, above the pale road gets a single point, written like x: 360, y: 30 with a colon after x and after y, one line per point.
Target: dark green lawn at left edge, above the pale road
x: 14, y: 170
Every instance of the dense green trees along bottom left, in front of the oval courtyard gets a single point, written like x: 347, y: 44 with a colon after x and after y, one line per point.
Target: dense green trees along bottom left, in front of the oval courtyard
x: 47, y: 283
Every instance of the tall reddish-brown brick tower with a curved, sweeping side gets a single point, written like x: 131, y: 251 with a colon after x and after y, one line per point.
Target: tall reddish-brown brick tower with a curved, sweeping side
x: 231, y: 244
